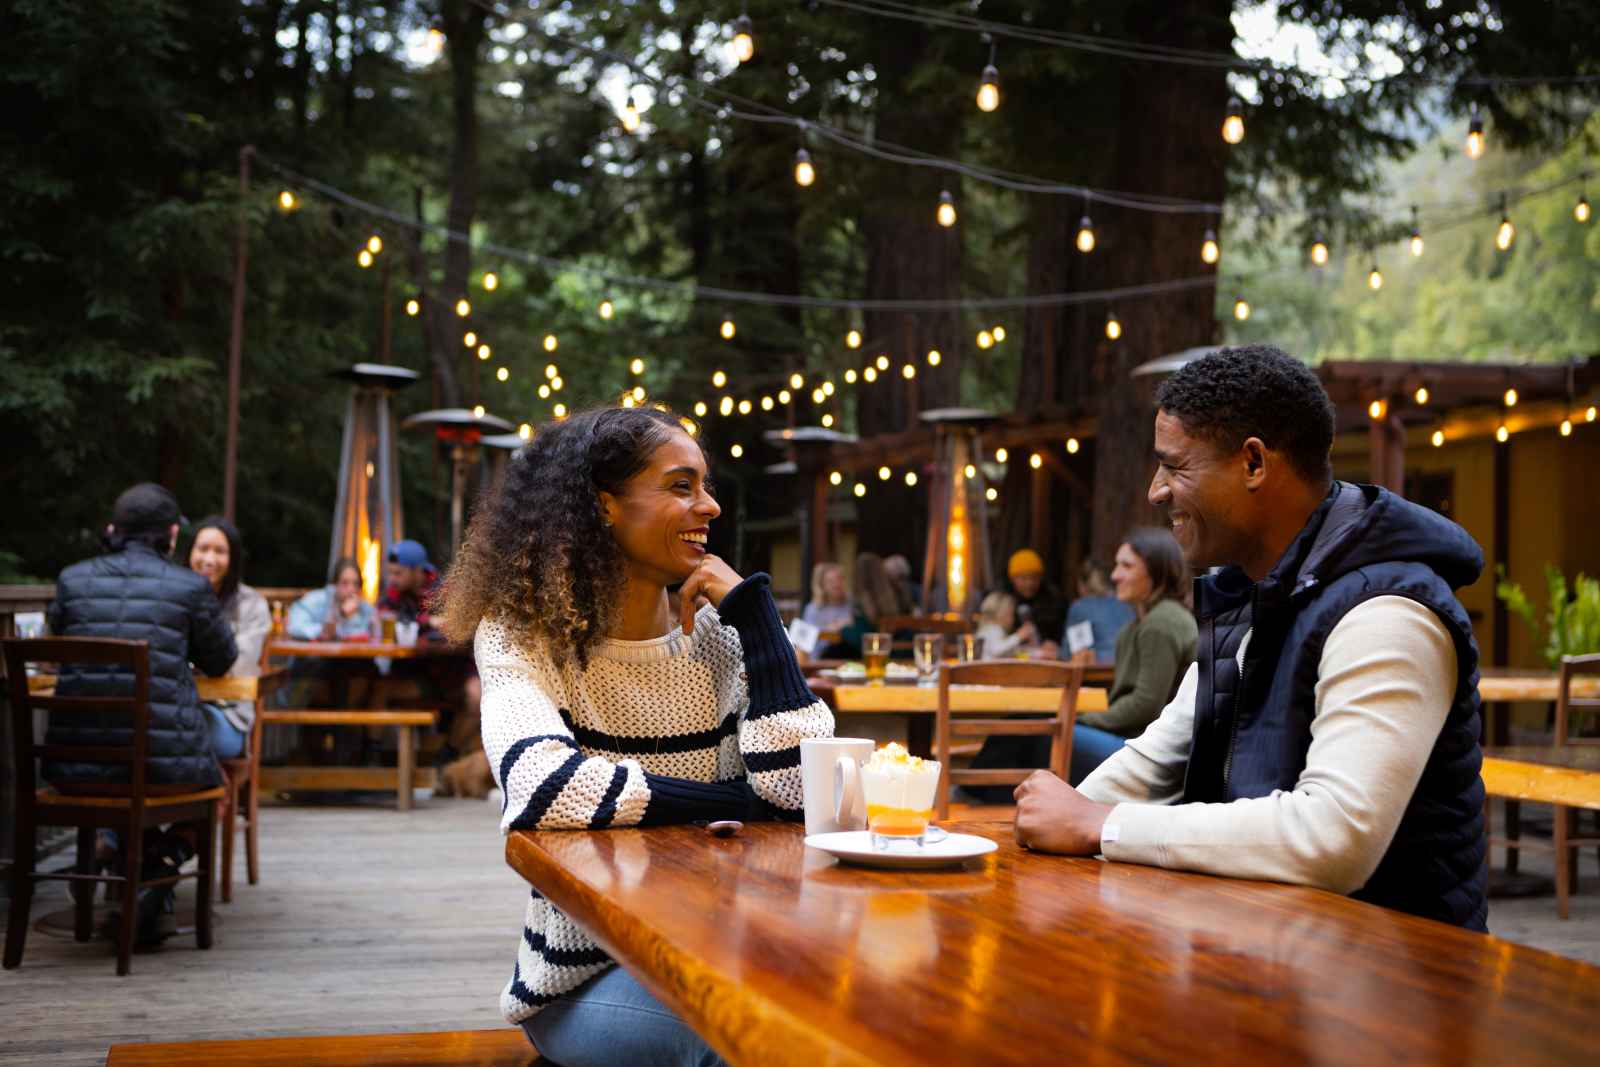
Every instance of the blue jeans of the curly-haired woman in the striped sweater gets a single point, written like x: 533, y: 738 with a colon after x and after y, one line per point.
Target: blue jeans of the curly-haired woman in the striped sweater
x: 612, y: 1021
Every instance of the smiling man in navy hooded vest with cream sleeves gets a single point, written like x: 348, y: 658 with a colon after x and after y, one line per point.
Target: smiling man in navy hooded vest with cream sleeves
x: 1329, y: 732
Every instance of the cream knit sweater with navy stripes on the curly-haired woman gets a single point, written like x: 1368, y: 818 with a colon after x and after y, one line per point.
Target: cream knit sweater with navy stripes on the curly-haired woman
x: 671, y: 730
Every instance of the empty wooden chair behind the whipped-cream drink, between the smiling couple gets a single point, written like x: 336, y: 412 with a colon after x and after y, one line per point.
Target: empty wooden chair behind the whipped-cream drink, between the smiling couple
x: 1006, y: 673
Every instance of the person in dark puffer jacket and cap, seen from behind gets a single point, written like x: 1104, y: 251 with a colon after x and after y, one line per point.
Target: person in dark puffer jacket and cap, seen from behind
x: 137, y: 594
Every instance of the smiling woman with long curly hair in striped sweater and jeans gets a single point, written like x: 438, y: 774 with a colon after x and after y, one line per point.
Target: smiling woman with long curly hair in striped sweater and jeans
x: 601, y: 709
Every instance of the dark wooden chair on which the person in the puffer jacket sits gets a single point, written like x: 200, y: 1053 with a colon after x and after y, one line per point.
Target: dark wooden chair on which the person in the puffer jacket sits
x: 127, y: 809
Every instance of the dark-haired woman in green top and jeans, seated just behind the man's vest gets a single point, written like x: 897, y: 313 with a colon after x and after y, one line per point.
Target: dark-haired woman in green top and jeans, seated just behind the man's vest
x: 1153, y: 652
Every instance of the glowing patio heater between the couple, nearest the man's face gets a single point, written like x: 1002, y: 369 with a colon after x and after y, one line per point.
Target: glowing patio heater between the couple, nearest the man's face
x: 958, y: 569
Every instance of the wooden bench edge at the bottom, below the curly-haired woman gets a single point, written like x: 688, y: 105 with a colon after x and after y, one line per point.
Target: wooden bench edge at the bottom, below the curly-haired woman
x: 460, y: 1049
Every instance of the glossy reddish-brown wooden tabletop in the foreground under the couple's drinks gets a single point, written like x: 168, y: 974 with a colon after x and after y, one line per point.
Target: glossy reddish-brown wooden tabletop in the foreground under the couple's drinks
x: 780, y: 957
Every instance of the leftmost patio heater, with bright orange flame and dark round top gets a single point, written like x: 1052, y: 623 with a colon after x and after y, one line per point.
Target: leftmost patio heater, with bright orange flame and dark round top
x: 367, y: 514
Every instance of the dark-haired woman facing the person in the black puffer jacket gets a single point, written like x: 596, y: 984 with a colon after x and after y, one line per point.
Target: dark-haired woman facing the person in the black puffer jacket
x: 218, y: 554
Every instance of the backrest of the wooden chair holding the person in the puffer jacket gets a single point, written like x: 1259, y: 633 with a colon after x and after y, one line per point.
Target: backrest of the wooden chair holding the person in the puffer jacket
x: 134, y: 657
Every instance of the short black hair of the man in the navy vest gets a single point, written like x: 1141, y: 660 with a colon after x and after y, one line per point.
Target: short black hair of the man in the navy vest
x: 1255, y: 391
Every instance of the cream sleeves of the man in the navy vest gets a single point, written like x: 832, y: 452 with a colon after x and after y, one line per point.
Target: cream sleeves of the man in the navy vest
x: 1385, y: 685
